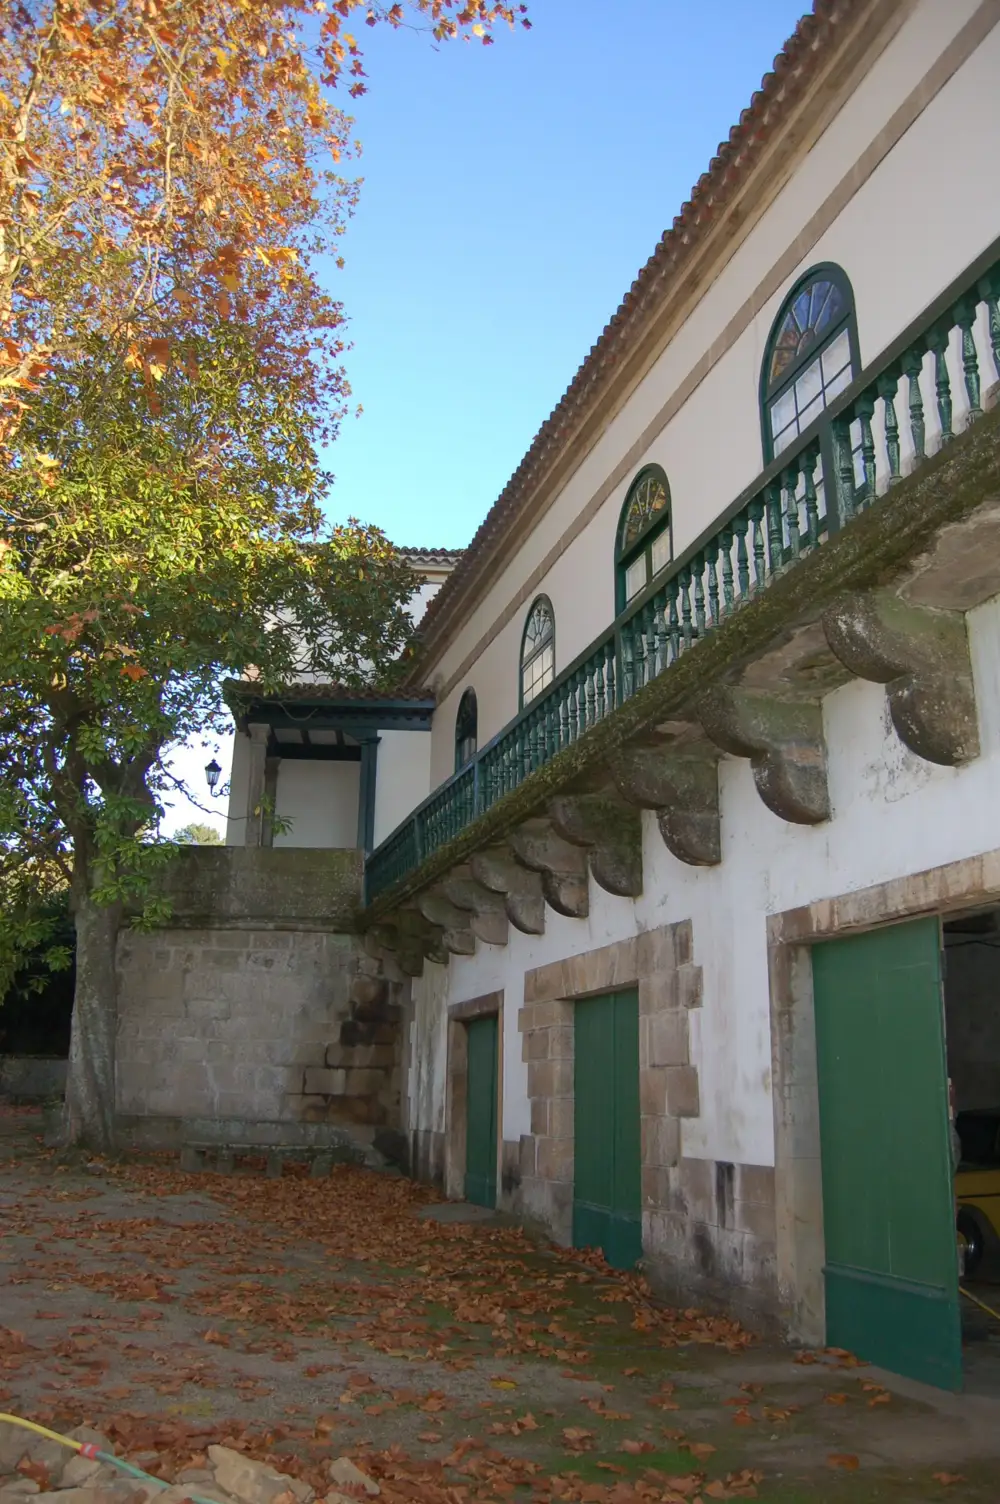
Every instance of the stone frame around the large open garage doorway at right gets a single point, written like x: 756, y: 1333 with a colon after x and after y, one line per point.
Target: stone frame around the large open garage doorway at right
x: 954, y: 888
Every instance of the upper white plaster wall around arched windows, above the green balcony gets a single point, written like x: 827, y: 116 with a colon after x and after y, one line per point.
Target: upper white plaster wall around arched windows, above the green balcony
x: 911, y: 229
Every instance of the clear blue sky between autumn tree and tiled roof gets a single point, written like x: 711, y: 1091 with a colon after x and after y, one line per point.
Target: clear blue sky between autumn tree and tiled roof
x: 511, y: 196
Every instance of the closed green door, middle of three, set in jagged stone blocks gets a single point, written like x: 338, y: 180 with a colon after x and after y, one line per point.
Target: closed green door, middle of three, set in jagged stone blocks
x: 607, y: 1180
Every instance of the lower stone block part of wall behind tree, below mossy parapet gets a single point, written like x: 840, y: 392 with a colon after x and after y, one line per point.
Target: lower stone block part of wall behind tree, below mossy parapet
x: 255, y: 1025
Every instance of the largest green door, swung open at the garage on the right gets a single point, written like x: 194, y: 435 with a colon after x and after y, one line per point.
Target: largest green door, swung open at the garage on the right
x: 888, y: 1199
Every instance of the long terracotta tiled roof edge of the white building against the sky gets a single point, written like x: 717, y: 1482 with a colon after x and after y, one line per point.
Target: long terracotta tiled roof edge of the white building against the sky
x: 781, y: 89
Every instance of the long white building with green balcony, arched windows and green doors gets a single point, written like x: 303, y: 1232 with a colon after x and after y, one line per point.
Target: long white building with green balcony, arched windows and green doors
x: 708, y: 825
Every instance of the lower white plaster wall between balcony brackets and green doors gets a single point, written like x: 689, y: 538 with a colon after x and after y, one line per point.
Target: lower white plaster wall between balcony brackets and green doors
x: 892, y: 816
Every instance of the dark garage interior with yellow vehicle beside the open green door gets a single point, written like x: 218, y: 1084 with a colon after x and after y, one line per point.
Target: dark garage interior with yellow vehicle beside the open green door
x: 972, y: 1019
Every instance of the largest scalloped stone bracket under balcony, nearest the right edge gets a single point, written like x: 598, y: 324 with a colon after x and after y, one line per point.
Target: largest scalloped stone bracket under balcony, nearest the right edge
x: 923, y: 660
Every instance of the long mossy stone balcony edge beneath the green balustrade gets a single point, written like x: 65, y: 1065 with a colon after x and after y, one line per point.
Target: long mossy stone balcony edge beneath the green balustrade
x: 871, y: 551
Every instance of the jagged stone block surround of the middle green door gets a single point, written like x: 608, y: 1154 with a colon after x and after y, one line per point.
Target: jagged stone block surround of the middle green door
x: 659, y: 965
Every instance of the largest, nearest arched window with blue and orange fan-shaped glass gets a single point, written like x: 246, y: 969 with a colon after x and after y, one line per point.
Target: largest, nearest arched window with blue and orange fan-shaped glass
x: 811, y: 356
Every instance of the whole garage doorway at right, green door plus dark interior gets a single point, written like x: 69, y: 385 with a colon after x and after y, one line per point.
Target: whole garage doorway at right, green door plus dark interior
x: 908, y: 1026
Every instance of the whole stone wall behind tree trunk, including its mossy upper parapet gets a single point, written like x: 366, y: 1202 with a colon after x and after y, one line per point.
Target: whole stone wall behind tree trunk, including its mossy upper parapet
x: 258, y: 1004
